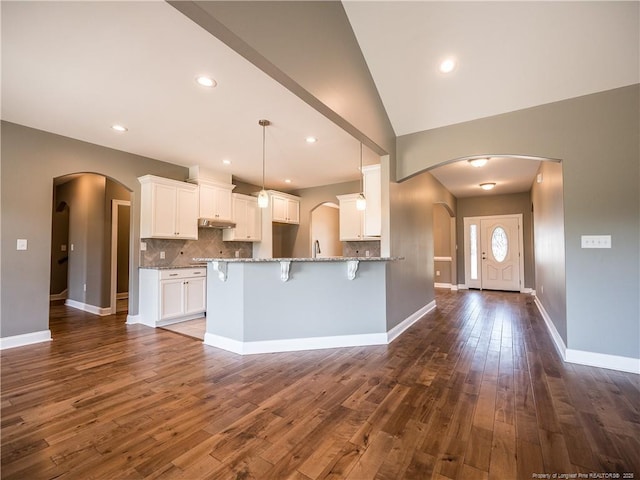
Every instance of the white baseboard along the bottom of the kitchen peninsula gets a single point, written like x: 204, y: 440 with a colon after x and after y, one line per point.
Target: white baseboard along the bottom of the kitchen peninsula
x: 293, y: 344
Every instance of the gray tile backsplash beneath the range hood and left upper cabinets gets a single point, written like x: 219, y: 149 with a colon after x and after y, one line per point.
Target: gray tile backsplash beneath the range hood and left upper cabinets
x: 182, y: 252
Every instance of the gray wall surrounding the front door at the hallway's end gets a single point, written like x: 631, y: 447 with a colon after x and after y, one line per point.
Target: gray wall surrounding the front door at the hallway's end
x: 498, y: 205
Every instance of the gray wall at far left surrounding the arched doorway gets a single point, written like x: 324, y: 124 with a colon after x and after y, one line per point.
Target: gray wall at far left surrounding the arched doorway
x: 31, y: 159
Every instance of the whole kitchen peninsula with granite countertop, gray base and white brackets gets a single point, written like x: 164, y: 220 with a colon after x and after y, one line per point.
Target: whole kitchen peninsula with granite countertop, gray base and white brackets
x: 286, y: 304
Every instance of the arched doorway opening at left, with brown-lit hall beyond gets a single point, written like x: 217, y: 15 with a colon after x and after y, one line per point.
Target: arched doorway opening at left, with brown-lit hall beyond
x: 90, y: 244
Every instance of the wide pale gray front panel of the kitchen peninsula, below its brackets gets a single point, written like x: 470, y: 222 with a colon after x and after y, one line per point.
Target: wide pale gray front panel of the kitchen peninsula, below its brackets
x: 318, y: 300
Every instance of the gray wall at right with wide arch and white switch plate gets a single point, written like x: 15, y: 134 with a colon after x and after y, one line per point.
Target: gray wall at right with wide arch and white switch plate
x: 597, y: 137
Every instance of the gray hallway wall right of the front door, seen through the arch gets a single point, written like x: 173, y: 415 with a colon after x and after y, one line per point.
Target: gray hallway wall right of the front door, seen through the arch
x: 548, y: 221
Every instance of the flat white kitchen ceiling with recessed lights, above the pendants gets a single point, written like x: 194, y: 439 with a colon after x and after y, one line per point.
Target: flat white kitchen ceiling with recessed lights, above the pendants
x: 76, y: 68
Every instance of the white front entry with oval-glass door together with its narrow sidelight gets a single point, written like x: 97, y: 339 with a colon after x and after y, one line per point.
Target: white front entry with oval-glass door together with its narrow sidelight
x: 493, y: 257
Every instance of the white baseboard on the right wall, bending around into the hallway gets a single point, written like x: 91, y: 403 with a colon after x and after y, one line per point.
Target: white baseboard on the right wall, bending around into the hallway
x: 591, y: 359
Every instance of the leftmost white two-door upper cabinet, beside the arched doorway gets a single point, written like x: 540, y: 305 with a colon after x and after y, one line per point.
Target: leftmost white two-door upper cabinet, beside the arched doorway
x: 168, y: 208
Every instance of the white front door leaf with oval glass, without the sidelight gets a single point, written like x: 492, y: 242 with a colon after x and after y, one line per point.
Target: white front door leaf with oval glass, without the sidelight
x: 500, y: 250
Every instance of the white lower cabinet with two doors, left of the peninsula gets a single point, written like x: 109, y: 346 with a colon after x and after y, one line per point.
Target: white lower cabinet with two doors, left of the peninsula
x: 172, y: 295
